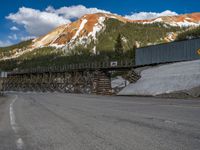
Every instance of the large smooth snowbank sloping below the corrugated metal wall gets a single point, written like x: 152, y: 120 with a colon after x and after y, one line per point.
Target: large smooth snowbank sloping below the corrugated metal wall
x: 166, y: 79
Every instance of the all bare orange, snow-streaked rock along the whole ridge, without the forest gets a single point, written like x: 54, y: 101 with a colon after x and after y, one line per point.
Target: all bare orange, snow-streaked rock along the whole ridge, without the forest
x: 86, y: 29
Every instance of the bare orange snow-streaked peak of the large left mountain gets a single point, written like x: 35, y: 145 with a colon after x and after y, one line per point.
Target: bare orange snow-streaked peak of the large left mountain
x: 82, y: 31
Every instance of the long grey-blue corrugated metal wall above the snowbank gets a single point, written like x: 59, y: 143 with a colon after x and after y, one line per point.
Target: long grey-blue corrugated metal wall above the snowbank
x: 169, y: 52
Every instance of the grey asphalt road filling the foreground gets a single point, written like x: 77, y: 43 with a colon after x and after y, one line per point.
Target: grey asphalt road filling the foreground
x: 53, y: 121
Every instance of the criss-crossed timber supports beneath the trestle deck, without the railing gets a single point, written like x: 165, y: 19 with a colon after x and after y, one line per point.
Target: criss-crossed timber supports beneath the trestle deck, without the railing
x: 96, y: 82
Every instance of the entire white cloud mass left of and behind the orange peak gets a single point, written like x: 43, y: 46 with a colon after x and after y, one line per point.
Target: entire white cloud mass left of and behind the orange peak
x: 38, y: 22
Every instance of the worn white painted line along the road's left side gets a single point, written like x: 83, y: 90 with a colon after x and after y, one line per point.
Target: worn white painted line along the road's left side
x: 19, y: 141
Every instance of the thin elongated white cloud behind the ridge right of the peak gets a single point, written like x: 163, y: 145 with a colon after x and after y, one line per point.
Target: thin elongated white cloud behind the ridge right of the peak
x: 150, y: 15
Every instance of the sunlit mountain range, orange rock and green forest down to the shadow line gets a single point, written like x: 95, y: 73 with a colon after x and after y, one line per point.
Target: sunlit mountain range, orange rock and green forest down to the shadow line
x: 95, y: 32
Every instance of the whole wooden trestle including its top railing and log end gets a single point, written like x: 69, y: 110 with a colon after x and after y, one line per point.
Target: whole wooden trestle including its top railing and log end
x: 75, y: 78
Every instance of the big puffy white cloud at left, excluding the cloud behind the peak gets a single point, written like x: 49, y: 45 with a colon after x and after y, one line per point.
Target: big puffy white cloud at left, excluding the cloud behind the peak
x: 37, y: 22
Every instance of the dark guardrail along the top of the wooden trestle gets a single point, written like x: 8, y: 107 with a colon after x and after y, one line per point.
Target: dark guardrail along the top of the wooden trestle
x: 110, y: 65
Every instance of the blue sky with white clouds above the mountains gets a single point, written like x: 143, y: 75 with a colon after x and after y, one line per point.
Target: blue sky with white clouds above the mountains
x: 23, y: 19
